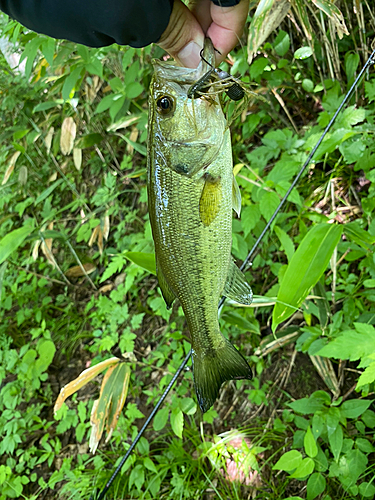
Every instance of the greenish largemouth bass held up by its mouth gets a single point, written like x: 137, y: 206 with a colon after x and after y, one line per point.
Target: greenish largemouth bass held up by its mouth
x: 191, y: 193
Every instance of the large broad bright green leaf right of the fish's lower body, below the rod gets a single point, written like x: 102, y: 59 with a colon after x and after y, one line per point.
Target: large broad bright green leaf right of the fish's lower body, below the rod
x: 306, y: 267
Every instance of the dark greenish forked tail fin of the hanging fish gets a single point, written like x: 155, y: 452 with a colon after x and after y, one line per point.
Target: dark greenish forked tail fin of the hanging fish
x: 211, y: 369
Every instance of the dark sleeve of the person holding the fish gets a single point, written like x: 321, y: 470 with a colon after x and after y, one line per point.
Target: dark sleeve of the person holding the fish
x: 95, y: 23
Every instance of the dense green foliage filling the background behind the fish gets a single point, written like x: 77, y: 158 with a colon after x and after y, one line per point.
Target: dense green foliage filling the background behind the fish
x: 76, y: 266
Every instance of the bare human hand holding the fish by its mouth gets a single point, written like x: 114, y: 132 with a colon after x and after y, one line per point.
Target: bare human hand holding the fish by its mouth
x: 184, y: 37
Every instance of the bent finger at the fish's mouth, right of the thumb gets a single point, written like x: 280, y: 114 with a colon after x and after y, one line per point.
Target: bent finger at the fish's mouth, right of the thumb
x: 227, y: 27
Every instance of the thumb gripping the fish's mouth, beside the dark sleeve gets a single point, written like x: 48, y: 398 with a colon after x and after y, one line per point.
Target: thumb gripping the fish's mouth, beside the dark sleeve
x: 184, y: 38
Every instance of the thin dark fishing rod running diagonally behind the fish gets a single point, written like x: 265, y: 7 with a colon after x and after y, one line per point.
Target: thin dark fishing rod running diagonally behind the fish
x: 369, y: 62
